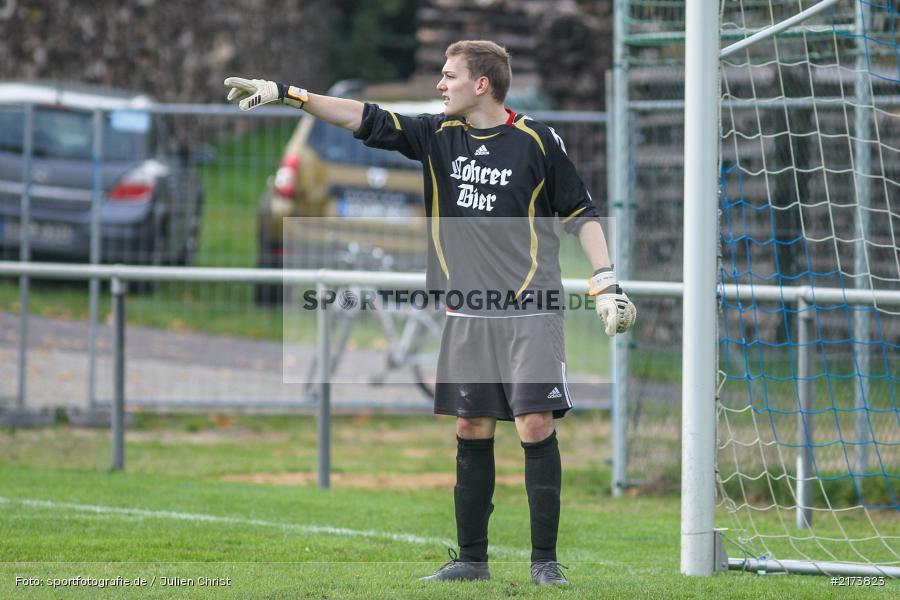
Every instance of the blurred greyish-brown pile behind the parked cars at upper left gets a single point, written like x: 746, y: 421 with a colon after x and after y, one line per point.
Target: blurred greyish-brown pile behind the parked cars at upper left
x: 174, y: 51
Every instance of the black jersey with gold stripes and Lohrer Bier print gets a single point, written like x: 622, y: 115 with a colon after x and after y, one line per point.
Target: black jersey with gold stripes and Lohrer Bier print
x: 492, y: 196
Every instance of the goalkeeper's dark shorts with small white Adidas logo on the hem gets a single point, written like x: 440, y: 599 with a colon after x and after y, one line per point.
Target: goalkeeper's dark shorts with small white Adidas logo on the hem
x: 502, y: 367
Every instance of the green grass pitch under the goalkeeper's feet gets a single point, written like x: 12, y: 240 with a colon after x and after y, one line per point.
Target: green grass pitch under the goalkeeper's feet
x: 234, y: 497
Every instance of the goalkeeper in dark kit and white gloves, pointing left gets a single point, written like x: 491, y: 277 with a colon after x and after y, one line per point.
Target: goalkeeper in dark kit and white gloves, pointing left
x: 482, y: 161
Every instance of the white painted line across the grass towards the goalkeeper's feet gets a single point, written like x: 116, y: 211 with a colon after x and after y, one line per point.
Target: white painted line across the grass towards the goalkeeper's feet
x: 141, y: 513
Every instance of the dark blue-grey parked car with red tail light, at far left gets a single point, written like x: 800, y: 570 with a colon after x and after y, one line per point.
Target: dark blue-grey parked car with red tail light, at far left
x: 151, y: 196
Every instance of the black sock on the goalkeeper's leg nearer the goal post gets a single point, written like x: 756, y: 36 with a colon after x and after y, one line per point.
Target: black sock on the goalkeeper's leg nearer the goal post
x: 543, y: 482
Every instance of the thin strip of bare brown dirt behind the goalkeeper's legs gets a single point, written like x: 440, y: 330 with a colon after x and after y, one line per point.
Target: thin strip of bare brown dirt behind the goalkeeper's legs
x: 416, y: 481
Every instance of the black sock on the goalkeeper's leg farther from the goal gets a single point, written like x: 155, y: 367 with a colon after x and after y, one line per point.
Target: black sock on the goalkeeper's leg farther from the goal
x: 472, y: 494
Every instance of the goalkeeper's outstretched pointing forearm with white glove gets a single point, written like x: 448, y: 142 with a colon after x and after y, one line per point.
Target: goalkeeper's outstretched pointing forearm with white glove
x: 253, y: 93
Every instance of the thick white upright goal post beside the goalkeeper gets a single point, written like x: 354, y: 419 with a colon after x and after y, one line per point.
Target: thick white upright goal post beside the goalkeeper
x: 699, y: 330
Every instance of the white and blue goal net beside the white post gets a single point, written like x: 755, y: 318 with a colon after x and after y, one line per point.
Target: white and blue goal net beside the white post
x: 808, y: 440
